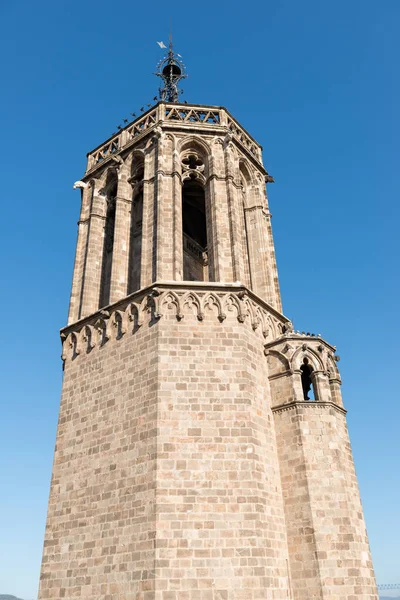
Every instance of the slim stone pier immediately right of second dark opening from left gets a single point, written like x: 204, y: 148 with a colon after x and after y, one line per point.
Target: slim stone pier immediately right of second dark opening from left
x: 146, y: 270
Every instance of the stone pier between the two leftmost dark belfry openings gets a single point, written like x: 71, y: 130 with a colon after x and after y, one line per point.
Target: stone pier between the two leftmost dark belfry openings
x: 120, y: 260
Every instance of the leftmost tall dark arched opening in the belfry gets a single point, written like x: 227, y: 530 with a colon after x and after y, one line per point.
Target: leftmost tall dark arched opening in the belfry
x: 108, y: 246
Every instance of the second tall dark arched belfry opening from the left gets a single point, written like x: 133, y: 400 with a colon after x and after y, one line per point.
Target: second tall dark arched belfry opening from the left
x: 135, y: 247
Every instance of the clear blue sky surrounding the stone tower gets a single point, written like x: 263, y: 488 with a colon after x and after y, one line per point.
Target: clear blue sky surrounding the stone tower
x: 317, y: 84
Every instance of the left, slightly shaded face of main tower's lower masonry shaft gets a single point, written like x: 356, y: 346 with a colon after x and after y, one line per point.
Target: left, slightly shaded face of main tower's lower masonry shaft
x: 100, y: 532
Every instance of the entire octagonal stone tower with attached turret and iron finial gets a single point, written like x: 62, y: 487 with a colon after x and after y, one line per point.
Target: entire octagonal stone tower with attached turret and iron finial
x: 190, y: 463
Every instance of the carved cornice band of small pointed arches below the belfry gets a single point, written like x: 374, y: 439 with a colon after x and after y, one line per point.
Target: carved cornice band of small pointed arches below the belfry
x: 186, y: 300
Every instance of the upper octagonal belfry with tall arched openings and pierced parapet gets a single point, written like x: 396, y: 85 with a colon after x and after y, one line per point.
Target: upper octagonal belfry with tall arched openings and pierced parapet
x: 179, y: 194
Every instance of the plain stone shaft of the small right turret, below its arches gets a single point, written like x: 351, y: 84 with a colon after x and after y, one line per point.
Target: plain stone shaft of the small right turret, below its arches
x: 328, y: 545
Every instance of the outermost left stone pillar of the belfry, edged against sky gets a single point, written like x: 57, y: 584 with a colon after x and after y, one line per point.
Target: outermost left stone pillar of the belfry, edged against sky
x: 79, y: 265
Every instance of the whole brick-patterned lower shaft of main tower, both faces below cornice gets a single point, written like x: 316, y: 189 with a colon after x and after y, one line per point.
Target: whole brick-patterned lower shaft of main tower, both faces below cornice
x: 165, y: 481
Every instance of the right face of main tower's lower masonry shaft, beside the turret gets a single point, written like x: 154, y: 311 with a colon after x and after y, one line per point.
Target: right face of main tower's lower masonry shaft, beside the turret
x: 220, y: 524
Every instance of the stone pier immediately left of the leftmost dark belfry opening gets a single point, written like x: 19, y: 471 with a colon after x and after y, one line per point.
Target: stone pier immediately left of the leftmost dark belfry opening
x: 94, y: 256
